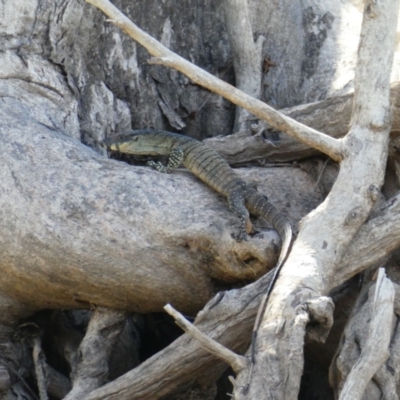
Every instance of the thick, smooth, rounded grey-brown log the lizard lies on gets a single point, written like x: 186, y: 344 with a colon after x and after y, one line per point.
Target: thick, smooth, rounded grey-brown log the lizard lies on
x: 85, y: 229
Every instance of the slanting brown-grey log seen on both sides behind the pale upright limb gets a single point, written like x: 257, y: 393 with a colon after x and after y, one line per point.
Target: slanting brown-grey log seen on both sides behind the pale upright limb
x: 237, y: 309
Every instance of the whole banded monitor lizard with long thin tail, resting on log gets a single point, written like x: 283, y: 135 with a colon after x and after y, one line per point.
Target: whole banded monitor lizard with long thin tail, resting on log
x: 211, y: 168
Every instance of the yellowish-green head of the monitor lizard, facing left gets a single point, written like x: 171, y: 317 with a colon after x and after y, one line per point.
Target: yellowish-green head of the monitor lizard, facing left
x: 143, y: 142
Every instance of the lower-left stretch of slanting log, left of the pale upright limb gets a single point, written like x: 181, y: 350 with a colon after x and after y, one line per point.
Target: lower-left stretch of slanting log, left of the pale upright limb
x: 227, y: 319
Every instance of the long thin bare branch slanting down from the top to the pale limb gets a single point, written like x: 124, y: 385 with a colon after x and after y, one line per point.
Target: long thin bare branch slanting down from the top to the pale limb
x: 164, y: 56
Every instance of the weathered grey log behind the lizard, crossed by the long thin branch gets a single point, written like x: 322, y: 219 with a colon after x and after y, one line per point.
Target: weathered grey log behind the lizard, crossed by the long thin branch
x: 332, y: 116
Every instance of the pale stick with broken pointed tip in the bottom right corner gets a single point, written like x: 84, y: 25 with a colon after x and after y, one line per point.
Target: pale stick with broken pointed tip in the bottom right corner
x: 376, y: 349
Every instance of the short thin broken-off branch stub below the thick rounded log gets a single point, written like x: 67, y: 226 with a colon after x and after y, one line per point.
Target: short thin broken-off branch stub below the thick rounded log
x: 235, y: 361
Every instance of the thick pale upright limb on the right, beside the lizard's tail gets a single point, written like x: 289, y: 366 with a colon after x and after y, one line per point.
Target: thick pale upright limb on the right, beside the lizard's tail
x: 325, y: 233
